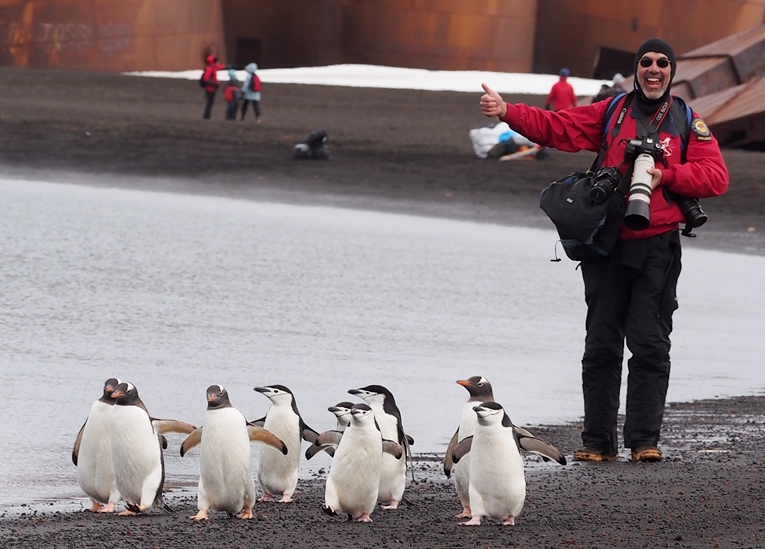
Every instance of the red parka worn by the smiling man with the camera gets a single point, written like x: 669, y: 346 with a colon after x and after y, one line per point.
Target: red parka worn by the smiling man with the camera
x: 702, y: 175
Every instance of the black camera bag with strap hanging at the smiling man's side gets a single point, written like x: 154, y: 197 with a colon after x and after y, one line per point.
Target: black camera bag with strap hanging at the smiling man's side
x: 586, y: 229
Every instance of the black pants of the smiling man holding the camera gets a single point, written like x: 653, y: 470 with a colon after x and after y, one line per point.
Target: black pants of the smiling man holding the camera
x: 631, y: 294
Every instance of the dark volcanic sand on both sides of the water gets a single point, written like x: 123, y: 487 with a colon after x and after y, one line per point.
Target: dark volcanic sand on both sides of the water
x: 402, y: 151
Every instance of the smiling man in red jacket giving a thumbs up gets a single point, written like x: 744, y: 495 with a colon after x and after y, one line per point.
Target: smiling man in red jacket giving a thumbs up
x: 631, y: 293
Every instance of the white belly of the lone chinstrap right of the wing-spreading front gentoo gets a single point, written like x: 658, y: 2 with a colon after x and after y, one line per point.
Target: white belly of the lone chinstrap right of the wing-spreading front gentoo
x: 277, y: 473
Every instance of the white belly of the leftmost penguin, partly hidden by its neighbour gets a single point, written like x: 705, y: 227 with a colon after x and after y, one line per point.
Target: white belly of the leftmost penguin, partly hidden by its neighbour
x: 95, y: 472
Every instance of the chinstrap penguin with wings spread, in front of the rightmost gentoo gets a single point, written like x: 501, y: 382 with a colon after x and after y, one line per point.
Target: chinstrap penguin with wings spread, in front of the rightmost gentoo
x: 497, y: 480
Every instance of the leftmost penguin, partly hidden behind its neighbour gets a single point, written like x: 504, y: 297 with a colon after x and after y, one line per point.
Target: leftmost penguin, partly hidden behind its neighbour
x: 92, y: 453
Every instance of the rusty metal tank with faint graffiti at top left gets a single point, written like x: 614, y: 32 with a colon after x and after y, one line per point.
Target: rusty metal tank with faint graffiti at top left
x: 110, y: 35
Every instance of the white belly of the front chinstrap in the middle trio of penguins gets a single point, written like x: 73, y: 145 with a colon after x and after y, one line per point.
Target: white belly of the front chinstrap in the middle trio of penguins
x: 354, y: 478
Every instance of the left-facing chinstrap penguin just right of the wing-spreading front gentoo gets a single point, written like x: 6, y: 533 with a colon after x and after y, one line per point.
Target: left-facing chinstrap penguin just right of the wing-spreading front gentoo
x: 277, y: 472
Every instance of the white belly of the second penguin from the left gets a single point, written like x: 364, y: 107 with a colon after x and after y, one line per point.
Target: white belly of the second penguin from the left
x: 136, y: 455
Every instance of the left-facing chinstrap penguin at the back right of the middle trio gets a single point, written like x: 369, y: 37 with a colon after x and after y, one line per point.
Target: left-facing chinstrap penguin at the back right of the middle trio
x: 388, y: 416
